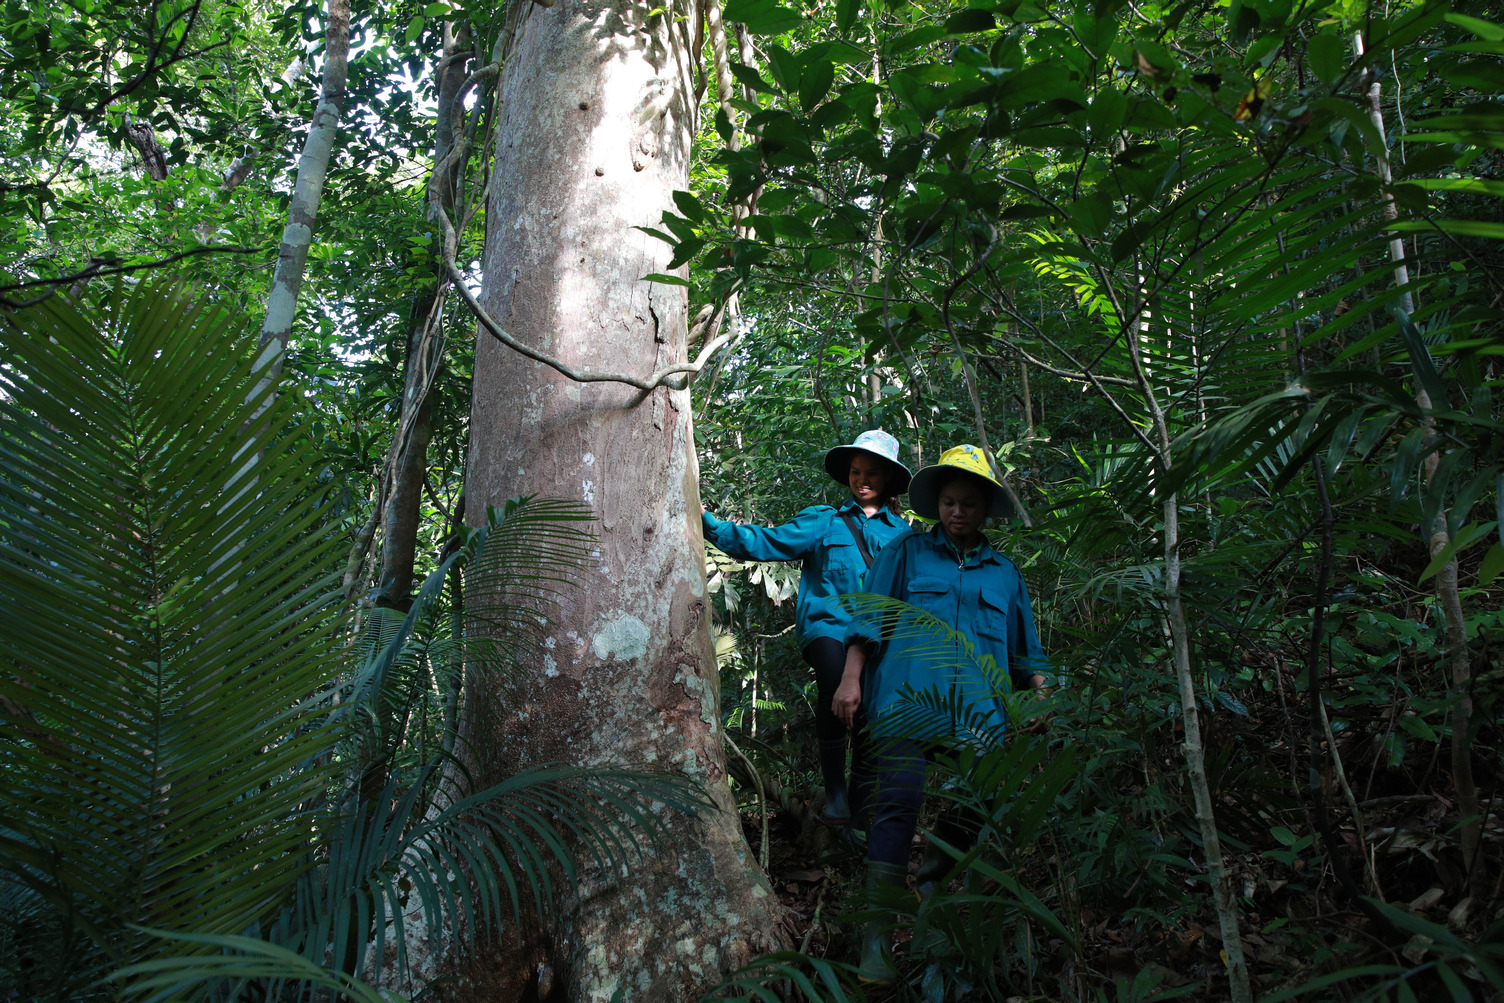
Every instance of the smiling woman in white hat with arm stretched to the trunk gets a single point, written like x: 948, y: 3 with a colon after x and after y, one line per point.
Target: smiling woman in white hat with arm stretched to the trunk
x: 837, y: 547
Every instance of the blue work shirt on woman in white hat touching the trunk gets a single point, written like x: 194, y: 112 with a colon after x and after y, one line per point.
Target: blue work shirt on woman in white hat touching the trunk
x: 832, y: 563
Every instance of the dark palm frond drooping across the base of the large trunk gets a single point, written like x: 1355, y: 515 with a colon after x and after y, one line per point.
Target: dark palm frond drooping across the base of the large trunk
x: 461, y: 868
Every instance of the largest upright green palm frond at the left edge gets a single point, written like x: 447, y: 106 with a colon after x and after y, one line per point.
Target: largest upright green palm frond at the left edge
x: 166, y: 602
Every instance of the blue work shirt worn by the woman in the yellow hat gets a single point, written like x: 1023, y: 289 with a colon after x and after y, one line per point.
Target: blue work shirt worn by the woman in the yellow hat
x: 983, y: 598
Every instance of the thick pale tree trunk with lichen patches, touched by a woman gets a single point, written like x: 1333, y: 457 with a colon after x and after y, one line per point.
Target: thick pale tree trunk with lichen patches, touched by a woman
x: 595, y: 138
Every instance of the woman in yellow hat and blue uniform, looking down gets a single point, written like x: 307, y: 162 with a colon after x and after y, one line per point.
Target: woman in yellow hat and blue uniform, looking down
x: 953, y: 574
